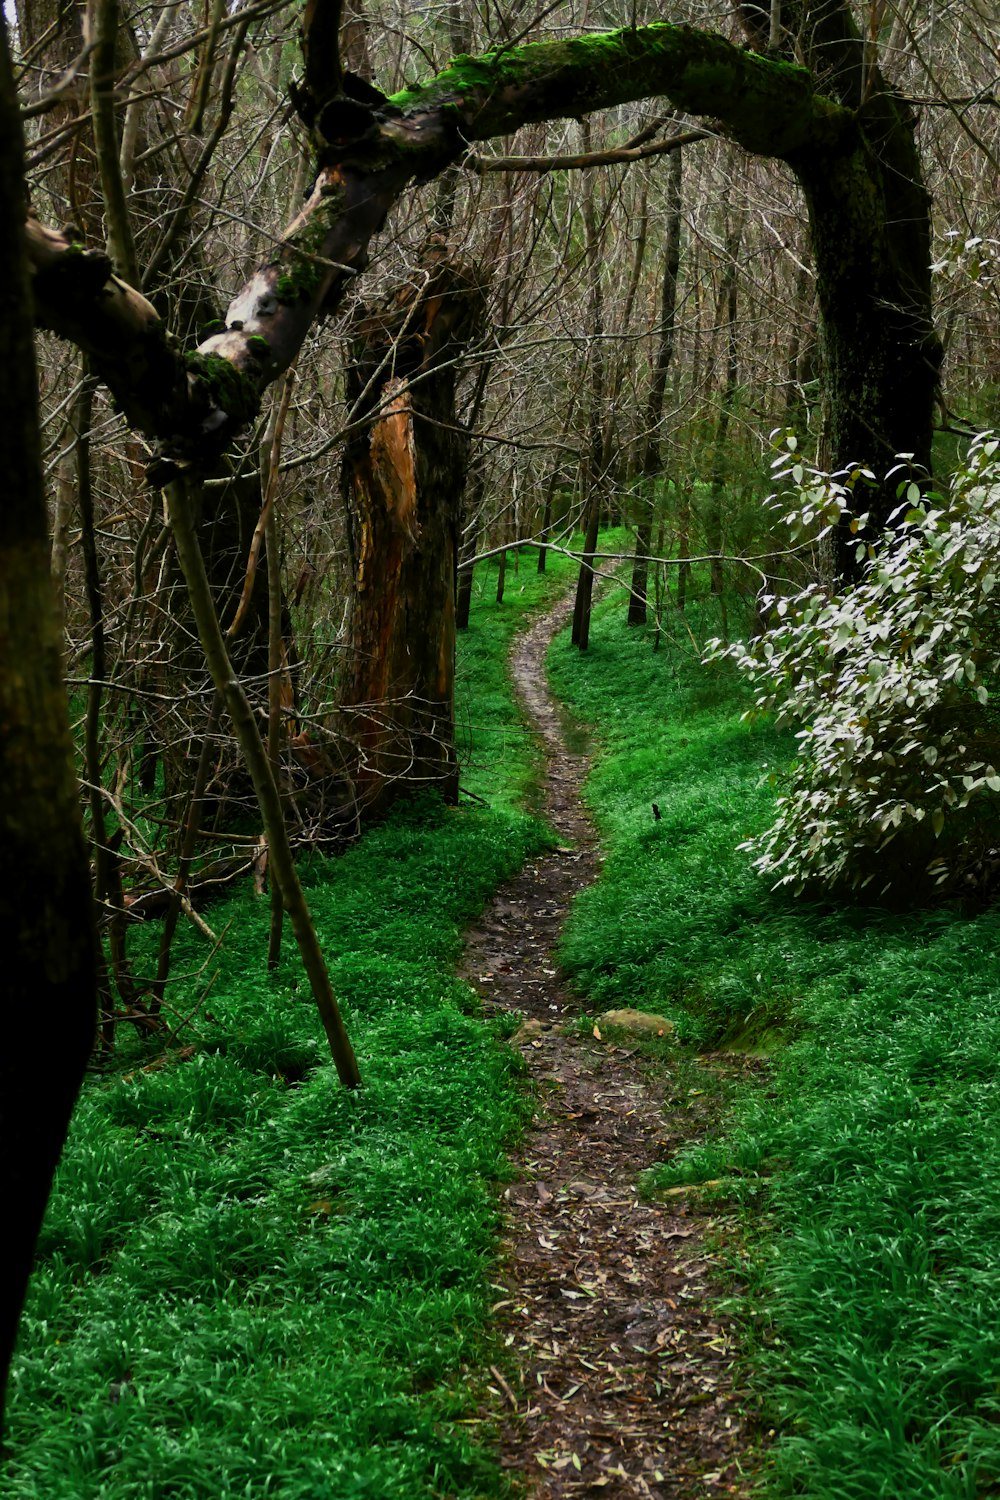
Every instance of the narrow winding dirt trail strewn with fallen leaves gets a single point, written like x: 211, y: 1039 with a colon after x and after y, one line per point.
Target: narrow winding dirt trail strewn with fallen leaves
x: 626, y: 1370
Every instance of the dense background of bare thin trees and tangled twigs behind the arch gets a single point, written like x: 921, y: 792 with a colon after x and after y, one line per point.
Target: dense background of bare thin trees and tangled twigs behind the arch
x: 630, y: 337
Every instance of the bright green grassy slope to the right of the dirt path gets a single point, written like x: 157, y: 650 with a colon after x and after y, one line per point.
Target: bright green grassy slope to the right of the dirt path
x: 875, y: 1150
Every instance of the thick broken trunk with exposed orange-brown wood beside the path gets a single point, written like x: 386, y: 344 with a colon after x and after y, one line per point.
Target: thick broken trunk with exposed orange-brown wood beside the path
x: 404, y: 482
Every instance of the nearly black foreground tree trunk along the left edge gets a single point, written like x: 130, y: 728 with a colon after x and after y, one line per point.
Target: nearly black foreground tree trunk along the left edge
x: 47, y: 934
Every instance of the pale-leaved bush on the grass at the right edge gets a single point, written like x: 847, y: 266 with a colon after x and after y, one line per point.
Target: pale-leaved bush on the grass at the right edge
x: 891, y: 683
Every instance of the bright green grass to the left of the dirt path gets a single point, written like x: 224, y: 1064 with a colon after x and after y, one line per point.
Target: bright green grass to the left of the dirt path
x: 251, y: 1282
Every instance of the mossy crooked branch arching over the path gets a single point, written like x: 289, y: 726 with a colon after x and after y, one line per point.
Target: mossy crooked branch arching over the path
x: 368, y: 151
